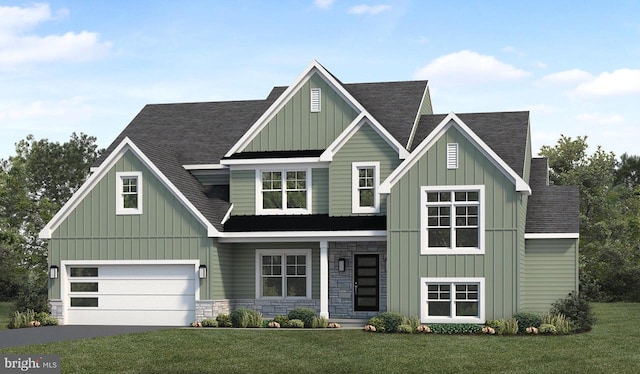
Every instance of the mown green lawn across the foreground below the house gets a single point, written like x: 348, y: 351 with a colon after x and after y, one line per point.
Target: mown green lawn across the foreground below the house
x: 612, y: 347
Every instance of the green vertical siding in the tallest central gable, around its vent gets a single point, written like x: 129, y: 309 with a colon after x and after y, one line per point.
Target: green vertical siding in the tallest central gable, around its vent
x: 296, y: 128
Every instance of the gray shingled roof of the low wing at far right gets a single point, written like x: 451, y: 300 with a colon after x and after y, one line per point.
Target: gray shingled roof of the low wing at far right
x: 551, y: 209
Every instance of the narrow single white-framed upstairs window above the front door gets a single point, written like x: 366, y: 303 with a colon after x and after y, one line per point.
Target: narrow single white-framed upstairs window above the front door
x: 365, y: 178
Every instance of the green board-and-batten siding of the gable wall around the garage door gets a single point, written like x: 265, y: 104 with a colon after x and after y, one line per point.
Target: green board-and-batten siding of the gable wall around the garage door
x: 165, y: 231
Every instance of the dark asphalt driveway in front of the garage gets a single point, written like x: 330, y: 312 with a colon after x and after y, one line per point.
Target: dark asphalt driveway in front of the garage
x: 50, y: 334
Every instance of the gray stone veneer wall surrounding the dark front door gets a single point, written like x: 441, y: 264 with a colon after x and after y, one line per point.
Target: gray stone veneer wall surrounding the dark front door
x: 341, y: 300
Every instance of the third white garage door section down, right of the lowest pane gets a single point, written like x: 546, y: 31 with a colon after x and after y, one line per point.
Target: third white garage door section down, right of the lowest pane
x: 146, y: 302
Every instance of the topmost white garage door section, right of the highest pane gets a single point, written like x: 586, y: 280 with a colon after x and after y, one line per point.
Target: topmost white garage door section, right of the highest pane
x: 147, y: 272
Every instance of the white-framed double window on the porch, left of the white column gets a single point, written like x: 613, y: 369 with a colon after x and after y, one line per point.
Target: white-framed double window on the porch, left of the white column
x: 283, y: 274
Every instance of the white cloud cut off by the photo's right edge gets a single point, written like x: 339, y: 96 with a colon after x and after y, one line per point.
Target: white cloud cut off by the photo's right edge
x: 618, y: 82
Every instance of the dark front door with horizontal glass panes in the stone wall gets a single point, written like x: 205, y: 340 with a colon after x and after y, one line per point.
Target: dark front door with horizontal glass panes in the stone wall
x: 366, y: 283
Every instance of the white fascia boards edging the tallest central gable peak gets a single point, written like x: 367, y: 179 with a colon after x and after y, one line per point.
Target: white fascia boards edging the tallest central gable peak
x: 264, y: 119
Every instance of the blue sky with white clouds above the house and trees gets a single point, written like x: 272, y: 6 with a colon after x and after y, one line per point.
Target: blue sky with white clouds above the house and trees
x: 90, y: 66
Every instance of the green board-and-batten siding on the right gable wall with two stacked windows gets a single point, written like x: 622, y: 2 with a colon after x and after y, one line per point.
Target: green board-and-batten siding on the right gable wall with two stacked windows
x: 498, y: 265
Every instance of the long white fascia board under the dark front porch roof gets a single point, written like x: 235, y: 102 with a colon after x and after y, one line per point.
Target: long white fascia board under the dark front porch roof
x: 302, y: 236
